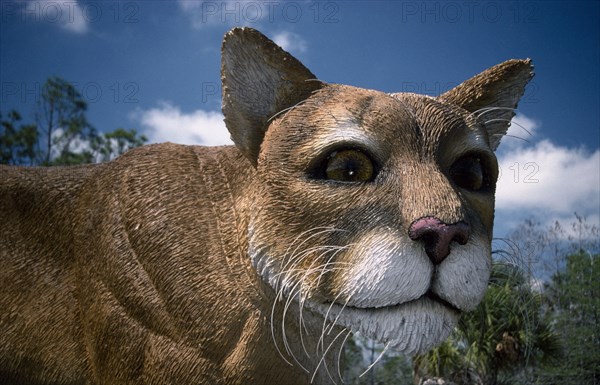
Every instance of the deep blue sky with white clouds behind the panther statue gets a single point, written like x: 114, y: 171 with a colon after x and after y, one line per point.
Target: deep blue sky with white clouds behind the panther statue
x: 154, y: 66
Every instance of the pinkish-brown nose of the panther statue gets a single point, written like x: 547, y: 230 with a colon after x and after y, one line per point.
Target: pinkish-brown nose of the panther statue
x: 437, y: 236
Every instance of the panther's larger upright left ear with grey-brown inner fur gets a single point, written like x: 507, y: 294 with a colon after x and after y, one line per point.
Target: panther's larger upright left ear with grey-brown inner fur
x: 259, y: 80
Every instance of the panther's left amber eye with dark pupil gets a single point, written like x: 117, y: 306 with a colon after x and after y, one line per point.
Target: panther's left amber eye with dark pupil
x: 349, y: 166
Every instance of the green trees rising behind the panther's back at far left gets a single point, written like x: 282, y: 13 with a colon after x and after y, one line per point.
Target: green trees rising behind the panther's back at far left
x: 62, y: 135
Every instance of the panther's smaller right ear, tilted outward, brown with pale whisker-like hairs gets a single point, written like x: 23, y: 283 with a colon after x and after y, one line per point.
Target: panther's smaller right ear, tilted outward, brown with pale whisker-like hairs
x: 493, y: 95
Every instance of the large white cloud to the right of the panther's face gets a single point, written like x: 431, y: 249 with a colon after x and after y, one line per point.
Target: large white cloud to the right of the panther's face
x: 545, y: 179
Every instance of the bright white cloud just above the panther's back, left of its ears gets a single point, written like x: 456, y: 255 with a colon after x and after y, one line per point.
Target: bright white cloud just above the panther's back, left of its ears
x: 167, y: 123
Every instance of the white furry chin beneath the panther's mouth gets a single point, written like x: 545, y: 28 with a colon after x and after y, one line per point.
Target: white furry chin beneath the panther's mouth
x: 410, y: 328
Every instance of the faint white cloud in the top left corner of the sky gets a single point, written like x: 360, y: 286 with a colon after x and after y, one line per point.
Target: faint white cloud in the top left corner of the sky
x: 69, y: 15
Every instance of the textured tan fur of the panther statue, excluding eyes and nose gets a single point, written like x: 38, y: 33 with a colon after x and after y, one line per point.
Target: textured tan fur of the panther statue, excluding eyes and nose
x: 179, y: 264
